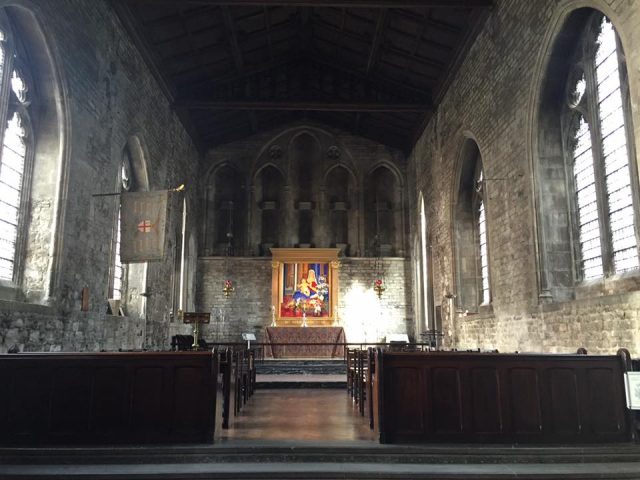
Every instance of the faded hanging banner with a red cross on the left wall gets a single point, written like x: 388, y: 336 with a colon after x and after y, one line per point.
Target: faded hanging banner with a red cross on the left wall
x: 143, y: 223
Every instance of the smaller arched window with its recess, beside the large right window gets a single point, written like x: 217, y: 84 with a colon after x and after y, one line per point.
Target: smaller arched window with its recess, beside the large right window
x: 470, y: 231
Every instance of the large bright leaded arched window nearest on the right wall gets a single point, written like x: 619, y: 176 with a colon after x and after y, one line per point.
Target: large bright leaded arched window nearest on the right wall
x: 597, y: 152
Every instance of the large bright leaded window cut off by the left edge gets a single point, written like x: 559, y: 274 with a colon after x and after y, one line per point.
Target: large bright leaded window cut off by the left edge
x: 16, y: 156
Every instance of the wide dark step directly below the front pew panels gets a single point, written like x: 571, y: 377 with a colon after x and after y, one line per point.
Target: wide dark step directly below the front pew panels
x: 361, y: 452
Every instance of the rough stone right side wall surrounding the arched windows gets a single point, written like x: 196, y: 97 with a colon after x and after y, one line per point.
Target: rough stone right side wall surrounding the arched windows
x: 491, y: 100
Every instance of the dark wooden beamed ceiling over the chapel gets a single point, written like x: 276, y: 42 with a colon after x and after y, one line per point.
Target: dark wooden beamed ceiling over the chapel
x: 231, y: 68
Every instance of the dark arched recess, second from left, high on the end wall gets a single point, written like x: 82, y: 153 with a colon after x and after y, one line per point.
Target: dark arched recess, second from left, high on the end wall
x: 269, y: 195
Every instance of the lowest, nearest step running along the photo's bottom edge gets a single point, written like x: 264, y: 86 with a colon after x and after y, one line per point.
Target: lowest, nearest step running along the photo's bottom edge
x: 316, y: 471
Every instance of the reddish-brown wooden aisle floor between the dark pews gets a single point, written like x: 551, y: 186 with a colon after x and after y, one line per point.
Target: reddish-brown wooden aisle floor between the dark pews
x: 300, y: 414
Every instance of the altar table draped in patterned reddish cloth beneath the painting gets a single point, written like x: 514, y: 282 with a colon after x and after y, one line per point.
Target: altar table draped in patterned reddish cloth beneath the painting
x: 284, y: 342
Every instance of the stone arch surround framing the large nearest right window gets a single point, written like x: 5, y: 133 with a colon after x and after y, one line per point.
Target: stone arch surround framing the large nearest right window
x: 552, y: 211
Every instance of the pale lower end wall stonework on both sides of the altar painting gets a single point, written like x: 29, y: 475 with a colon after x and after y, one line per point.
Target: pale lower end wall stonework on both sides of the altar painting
x: 364, y: 317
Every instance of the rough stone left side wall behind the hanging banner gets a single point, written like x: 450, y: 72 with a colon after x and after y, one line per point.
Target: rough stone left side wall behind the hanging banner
x: 108, y: 95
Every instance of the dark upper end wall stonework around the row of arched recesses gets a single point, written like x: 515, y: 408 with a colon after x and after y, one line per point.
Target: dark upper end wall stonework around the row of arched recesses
x: 331, y: 148
